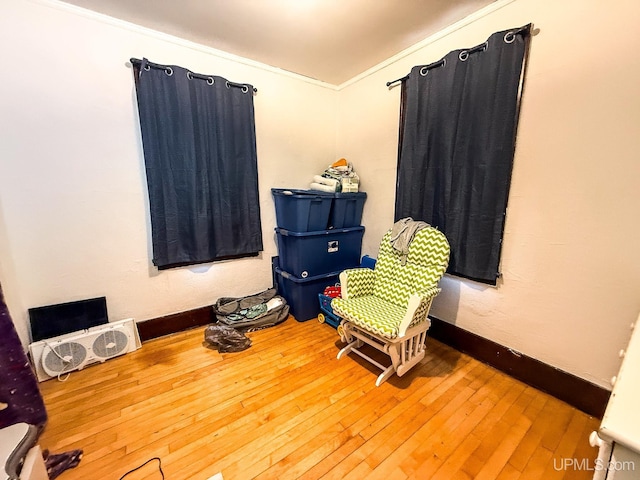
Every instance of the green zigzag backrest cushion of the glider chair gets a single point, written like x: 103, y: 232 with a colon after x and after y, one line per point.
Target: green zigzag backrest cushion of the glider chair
x: 426, y: 262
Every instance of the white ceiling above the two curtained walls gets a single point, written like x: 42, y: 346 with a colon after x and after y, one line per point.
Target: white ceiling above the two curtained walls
x: 328, y: 40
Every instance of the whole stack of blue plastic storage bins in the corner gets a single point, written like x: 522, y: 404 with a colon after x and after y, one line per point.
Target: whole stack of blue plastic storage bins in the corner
x: 319, y: 235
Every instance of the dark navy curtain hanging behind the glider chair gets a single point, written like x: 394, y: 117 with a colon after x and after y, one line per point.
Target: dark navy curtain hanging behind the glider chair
x: 457, y: 140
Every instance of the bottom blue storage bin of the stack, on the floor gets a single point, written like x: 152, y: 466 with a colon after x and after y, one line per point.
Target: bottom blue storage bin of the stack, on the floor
x: 302, y: 293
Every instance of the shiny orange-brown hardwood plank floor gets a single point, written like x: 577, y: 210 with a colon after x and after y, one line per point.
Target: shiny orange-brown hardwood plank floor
x: 286, y: 408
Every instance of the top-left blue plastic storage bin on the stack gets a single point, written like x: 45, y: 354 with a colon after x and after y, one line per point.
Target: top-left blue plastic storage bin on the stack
x: 302, y: 210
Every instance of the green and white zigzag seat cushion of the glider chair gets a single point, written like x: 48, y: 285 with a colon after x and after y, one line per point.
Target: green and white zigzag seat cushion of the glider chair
x: 371, y: 313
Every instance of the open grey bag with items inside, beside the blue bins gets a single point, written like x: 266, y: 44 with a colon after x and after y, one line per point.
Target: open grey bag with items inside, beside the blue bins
x: 251, y: 313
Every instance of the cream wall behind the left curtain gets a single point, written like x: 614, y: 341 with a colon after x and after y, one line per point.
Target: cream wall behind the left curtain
x: 74, y: 217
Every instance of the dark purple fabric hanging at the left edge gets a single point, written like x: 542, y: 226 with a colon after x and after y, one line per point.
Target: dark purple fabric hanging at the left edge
x: 20, y: 399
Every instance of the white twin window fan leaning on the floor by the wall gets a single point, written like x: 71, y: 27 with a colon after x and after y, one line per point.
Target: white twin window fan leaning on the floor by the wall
x: 74, y: 351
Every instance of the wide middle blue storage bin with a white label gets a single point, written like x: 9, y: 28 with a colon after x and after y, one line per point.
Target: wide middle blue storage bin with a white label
x: 307, y: 254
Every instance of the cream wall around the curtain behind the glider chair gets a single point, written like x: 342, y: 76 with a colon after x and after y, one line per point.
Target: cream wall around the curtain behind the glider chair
x: 571, y: 262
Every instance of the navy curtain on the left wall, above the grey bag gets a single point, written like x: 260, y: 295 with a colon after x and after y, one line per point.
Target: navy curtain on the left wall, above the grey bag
x: 198, y: 135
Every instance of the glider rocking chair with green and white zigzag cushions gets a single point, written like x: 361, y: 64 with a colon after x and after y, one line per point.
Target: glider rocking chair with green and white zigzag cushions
x: 387, y: 308
